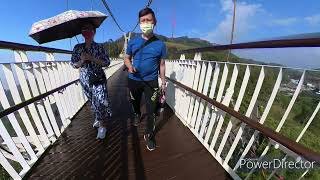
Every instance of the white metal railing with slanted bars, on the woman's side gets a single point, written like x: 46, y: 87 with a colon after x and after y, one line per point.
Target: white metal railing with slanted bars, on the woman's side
x: 26, y: 133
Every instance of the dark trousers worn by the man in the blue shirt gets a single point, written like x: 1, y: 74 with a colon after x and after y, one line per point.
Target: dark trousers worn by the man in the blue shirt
x: 151, y: 93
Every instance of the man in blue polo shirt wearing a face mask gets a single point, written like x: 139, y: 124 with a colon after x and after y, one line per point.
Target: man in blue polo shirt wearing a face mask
x: 145, y: 60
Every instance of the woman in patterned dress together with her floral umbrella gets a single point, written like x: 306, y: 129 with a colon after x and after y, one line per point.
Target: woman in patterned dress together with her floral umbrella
x: 88, y: 56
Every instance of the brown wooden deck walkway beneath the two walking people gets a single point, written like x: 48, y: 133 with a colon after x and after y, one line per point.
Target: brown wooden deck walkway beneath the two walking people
x: 123, y: 155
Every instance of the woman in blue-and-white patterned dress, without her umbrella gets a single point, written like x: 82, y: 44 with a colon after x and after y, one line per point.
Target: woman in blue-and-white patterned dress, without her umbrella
x: 90, y: 57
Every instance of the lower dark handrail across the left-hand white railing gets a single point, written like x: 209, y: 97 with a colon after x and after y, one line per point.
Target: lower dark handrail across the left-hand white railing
x: 32, y: 100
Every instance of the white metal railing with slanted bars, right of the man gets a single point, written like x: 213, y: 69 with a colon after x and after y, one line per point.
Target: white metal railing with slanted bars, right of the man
x: 244, y: 88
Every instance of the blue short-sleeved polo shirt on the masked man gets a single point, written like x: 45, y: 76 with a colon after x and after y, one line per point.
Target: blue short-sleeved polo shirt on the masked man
x: 146, y: 60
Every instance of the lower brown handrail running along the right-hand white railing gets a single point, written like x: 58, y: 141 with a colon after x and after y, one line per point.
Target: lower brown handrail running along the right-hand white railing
x: 290, y: 144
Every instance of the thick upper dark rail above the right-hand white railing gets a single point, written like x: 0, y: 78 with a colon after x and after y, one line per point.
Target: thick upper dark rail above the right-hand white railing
x: 279, y: 43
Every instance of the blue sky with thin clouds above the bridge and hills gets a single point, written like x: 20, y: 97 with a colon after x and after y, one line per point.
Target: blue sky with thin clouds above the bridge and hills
x: 206, y: 19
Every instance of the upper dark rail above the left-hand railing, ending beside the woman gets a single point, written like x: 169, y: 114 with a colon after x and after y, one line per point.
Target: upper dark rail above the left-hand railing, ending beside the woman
x: 26, y: 47
